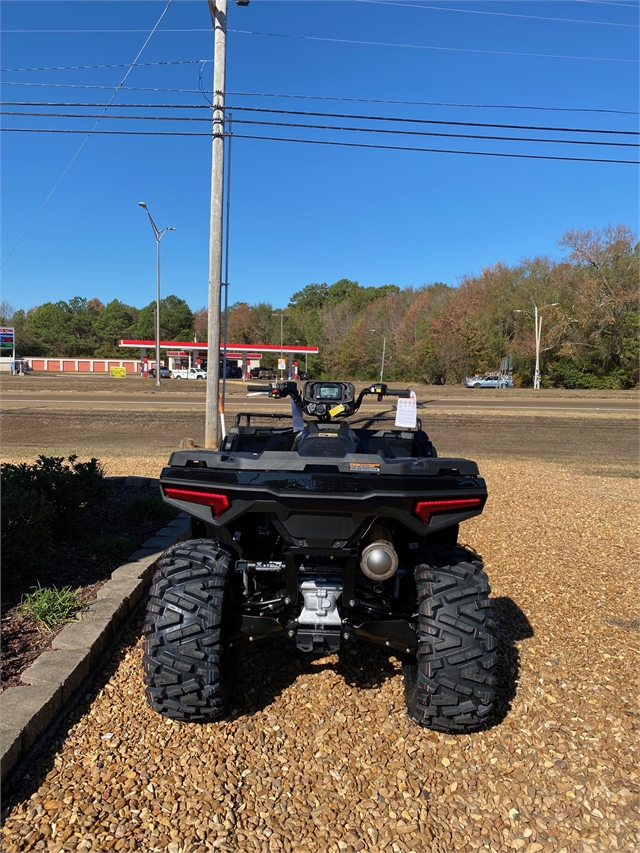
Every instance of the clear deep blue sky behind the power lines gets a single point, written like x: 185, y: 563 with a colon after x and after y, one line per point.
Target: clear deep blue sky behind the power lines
x: 310, y: 213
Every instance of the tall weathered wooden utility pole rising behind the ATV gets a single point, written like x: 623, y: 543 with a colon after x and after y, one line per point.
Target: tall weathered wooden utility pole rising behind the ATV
x: 218, y: 10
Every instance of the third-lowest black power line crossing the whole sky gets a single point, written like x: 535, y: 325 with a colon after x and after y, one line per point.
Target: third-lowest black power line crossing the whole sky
x: 310, y: 114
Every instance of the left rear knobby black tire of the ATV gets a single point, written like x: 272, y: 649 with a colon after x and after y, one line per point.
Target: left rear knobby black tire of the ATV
x: 185, y: 660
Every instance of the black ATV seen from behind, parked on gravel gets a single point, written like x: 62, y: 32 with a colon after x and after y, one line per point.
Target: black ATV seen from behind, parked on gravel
x: 327, y: 534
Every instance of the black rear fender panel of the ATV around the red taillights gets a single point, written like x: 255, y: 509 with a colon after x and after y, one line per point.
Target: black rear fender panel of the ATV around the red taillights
x: 324, y: 506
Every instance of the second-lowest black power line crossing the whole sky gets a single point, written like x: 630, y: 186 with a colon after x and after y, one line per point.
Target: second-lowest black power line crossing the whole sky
x: 334, y: 127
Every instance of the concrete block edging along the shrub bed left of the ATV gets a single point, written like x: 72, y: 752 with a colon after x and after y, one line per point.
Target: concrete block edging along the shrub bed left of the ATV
x: 54, y: 681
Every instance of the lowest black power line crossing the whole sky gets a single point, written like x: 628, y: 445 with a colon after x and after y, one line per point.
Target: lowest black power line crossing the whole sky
x: 323, y: 142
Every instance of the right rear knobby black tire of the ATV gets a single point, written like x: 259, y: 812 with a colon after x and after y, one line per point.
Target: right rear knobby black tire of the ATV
x: 449, y: 683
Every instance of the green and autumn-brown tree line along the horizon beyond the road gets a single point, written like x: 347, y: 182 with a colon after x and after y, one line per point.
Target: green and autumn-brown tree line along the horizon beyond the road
x: 588, y: 302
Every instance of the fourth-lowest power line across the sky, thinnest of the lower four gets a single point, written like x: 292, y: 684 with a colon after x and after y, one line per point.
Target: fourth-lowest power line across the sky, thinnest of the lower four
x: 331, y: 98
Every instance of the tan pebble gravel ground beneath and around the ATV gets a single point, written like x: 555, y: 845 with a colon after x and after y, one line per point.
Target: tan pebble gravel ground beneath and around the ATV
x: 320, y: 755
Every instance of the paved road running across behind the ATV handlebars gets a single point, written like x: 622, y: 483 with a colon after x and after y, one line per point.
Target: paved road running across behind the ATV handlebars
x: 11, y: 400
